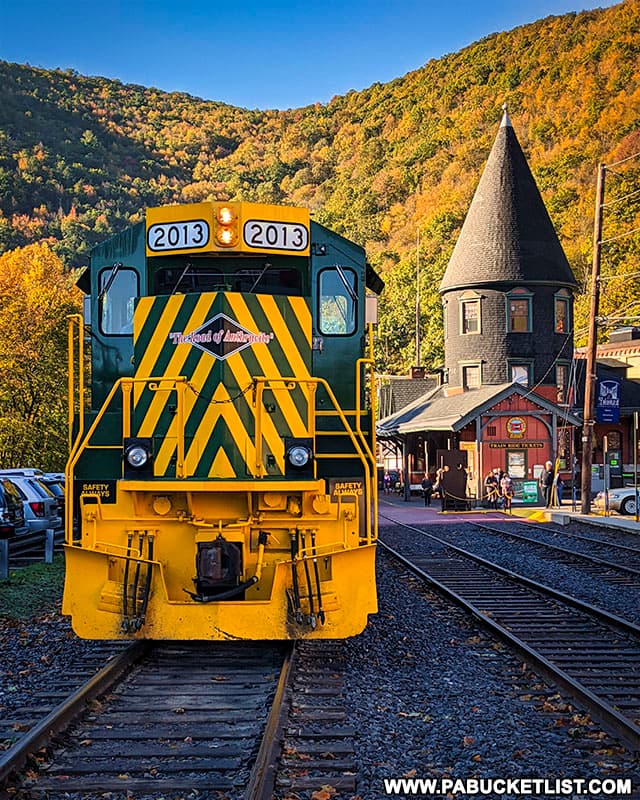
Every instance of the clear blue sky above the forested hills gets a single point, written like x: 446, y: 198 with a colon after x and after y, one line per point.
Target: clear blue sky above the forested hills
x: 282, y: 54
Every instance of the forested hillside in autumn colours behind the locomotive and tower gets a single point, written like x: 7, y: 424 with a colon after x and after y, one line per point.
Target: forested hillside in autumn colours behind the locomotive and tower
x: 82, y: 157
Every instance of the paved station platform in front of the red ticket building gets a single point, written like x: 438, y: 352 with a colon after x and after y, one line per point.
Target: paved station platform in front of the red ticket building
x: 414, y: 512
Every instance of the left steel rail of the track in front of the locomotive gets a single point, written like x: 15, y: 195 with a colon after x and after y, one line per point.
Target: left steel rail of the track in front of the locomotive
x: 68, y: 710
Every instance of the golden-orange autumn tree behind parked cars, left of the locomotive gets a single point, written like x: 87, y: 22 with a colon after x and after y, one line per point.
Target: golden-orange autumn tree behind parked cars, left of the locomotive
x: 36, y: 295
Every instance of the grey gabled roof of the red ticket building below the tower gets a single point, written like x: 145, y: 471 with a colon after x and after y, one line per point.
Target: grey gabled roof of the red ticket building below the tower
x: 435, y: 411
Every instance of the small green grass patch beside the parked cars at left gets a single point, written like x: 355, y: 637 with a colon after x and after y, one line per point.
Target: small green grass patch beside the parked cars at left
x: 32, y: 590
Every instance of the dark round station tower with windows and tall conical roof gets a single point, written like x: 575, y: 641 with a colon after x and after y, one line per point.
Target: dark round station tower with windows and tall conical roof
x: 508, y: 289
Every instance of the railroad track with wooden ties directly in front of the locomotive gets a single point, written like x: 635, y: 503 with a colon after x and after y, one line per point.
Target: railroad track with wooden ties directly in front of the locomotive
x: 198, y: 717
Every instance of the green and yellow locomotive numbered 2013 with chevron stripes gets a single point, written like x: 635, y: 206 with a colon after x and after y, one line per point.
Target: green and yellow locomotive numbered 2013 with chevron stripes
x: 222, y: 483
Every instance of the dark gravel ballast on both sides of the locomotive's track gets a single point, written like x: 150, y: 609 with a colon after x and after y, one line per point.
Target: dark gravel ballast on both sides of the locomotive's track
x: 430, y: 695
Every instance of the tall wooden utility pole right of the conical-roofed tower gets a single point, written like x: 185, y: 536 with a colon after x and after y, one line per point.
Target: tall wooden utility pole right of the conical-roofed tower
x: 590, y: 372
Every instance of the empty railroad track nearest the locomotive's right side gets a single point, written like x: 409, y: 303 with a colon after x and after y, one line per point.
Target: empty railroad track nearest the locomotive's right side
x: 591, y: 654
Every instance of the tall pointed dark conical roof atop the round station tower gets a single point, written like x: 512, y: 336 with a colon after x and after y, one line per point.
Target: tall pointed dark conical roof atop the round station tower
x: 507, y: 235
